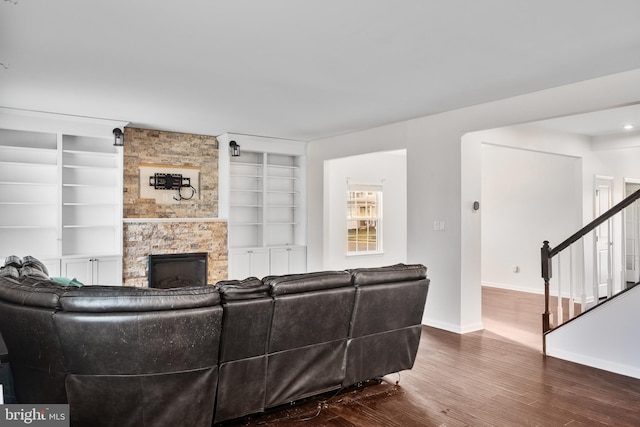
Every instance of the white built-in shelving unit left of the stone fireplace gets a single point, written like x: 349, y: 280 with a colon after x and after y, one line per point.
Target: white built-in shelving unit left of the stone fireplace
x: 61, y: 200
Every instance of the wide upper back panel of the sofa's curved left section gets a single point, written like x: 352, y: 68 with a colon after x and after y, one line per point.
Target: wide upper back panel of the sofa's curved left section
x: 137, y: 343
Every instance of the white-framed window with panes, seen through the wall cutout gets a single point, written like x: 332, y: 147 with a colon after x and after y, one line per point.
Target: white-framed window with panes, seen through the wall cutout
x: 364, y: 219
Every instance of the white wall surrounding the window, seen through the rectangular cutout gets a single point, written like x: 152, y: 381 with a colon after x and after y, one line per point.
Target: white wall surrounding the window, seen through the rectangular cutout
x: 388, y: 169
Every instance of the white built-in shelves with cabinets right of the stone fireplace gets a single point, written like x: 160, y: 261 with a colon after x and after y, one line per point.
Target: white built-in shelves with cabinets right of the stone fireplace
x: 266, y: 206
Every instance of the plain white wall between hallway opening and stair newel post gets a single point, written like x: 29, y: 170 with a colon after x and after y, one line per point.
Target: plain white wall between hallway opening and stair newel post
x: 527, y: 197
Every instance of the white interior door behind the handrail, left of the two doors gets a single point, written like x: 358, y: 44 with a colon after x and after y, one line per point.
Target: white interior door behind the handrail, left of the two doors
x: 603, y: 237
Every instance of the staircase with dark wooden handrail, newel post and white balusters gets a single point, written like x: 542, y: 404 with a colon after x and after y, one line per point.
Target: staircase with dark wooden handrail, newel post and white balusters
x: 592, y: 304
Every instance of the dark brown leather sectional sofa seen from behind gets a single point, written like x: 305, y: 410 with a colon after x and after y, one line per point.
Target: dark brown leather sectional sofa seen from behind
x: 201, y: 355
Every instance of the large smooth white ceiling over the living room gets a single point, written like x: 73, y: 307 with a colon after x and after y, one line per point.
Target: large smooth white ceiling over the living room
x: 300, y: 69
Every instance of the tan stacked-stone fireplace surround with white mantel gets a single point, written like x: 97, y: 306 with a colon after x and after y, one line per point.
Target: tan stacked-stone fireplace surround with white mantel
x: 154, y: 229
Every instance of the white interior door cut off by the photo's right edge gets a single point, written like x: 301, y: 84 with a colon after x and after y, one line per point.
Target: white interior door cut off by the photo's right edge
x: 632, y: 236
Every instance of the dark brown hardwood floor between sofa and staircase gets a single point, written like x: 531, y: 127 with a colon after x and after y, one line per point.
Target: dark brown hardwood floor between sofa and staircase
x: 494, y: 377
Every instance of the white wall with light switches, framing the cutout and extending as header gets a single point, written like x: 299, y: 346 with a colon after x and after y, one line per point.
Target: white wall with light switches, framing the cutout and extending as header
x: 439, y: 188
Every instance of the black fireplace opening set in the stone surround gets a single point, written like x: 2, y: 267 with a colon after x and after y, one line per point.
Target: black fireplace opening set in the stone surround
x: 177, y: 270
